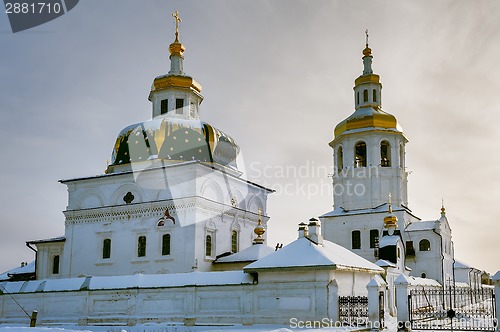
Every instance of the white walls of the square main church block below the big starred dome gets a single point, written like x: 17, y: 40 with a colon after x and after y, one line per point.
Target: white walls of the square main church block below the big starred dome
x: 123, y: 207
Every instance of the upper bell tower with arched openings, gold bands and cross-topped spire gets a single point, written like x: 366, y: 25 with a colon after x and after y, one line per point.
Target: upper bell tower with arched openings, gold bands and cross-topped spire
x: 368, y: 149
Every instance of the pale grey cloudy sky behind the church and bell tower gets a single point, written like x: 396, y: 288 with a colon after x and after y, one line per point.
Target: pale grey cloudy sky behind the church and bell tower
x: 277, y: 77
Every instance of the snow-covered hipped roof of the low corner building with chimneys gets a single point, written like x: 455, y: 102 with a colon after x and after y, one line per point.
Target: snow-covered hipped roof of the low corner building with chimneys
x: 303, y: 253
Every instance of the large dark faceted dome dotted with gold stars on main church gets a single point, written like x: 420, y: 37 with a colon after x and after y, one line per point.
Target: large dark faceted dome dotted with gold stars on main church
x: 175, y: 140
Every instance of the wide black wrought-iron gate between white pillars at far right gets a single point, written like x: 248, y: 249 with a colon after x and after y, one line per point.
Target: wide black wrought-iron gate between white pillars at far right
x: 461, y: 309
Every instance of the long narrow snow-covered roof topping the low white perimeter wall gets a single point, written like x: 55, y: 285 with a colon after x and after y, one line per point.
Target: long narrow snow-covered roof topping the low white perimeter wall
x: 131, y: 281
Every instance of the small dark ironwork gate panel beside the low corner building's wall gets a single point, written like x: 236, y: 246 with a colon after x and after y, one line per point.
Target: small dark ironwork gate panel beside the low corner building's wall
x: 353, y: 310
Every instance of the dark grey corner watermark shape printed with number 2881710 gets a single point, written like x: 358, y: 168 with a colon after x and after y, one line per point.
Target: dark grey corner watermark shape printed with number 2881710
x: 27, y: 14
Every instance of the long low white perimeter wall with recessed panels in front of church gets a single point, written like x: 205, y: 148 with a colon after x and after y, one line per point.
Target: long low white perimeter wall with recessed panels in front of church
x: 268, y: 302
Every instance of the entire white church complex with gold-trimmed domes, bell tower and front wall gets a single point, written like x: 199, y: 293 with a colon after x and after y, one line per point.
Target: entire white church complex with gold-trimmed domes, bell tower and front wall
x: 173, y: 233
